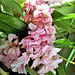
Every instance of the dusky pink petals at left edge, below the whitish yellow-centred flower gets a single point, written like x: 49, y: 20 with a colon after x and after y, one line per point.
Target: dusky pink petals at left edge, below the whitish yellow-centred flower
x: 10, y: 56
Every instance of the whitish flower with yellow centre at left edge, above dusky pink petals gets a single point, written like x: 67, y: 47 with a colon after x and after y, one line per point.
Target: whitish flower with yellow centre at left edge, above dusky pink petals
x: 8, y: 43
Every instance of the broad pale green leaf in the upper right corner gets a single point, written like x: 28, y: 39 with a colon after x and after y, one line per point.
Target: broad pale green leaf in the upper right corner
x: 65, y: 8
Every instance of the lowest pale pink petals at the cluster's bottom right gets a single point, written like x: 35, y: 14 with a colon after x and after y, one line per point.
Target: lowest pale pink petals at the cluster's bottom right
x: 50, y: 67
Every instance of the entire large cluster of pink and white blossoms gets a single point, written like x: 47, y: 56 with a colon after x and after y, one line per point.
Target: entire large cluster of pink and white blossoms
x: 38, y: 45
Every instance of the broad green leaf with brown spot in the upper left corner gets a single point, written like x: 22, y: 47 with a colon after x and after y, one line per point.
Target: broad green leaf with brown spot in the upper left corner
x: 9, y: 5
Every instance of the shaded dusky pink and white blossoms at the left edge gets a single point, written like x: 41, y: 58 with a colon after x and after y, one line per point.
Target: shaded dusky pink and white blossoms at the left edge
x: 9, y: 50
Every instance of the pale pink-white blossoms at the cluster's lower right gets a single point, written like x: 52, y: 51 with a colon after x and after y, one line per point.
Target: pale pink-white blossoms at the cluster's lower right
x: 48, y: 63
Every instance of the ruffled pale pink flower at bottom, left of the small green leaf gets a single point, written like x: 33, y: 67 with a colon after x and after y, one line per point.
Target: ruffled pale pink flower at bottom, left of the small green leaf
x: 19, y: 65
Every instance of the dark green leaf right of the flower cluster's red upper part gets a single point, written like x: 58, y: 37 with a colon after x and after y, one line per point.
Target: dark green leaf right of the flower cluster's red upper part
x: 62, y: 23
